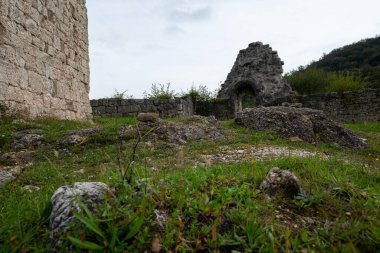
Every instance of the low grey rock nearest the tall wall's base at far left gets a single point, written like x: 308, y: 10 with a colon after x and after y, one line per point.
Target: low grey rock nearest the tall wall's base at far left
x: 27, y: 139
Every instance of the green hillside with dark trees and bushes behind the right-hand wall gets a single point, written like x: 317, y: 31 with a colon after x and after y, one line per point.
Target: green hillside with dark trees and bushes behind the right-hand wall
x: 351, y: 67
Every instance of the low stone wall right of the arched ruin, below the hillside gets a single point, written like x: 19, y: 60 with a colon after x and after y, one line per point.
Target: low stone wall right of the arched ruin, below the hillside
x: 349, y: 106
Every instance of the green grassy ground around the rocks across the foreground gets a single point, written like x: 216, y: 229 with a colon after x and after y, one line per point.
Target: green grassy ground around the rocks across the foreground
x: 215, y: 208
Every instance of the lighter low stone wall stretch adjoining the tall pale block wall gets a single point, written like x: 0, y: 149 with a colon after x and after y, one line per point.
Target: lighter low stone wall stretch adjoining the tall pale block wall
x: 178, y: 107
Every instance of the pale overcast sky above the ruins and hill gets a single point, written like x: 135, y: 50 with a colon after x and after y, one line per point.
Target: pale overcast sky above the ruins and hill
x: 134, y: 43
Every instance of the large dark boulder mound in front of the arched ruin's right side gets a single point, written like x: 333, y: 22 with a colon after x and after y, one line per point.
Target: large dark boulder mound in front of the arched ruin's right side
x: 307, y: 124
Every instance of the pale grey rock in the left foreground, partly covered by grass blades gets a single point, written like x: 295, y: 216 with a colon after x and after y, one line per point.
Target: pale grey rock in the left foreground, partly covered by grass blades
x: 66, y: 199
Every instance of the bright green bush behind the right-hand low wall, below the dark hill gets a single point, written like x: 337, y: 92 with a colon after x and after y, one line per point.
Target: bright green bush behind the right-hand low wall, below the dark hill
x: 313, y: 80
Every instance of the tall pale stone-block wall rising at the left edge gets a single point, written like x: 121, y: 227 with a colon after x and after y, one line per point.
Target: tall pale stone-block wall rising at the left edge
x: 44, y: 60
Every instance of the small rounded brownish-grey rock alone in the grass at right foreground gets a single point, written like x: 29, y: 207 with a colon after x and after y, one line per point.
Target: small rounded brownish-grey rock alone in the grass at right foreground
x: 281, y: 183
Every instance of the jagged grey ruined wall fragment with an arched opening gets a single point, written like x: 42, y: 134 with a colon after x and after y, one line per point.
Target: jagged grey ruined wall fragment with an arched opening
x: 257, y: 73
